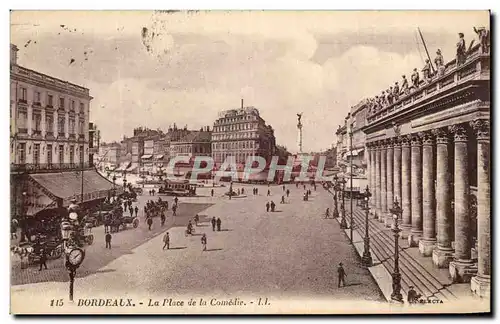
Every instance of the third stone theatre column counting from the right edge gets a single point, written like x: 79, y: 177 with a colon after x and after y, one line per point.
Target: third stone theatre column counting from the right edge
x: 443, y: 253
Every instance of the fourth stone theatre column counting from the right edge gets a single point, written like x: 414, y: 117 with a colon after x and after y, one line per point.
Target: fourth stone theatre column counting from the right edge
x: 428, y: 242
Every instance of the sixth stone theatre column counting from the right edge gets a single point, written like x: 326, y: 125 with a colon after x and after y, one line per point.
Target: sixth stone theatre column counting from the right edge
x: 406, y: 185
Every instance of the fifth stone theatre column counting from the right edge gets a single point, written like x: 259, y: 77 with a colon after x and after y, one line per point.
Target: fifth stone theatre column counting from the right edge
x: 416, y: 191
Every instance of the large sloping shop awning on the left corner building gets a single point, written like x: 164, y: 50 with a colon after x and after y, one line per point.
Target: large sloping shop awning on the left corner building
x: 68, y: 185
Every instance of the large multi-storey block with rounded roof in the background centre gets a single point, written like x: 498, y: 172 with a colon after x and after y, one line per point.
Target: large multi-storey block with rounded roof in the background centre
x: 242, y: 133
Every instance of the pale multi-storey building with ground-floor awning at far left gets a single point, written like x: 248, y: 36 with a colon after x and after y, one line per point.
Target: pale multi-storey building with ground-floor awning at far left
x: 49, y: 143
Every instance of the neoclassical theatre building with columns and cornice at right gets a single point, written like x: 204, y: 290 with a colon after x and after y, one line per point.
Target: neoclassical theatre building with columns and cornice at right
x: 430, y: 150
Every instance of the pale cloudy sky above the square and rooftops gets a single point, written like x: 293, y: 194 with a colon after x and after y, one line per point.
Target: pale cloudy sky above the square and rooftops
x: 154, y: 69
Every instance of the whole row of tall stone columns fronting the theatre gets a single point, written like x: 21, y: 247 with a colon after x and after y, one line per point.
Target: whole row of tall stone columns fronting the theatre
x: 416, y: 170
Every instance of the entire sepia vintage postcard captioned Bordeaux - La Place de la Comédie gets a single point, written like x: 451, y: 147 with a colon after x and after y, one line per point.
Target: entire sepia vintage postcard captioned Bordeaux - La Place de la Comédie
x: 250, y: 162
